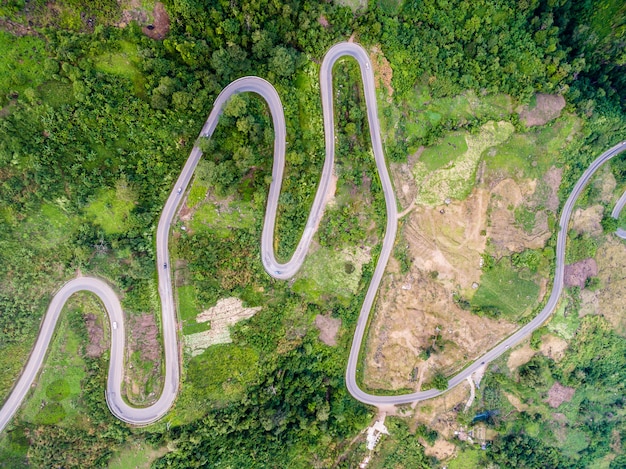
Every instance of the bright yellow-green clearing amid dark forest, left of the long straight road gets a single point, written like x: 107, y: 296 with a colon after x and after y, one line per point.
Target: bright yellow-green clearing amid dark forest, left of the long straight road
x: 111, y: 212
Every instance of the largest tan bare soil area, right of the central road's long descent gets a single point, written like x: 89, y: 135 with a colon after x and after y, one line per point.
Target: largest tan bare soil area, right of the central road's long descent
x: 417, y: 328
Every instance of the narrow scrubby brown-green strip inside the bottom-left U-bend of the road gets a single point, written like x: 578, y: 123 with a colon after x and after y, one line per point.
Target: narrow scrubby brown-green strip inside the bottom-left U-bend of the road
x: 143, y: 375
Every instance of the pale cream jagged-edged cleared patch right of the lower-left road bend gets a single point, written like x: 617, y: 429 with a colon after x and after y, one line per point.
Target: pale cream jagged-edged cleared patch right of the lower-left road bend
x: 225, y: 313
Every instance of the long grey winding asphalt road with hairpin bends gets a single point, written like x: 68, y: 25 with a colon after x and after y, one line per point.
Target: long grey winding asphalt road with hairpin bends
x: 147, y: 415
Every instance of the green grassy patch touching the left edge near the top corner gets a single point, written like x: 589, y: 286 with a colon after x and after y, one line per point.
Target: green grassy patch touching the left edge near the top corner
x: 22, y: 64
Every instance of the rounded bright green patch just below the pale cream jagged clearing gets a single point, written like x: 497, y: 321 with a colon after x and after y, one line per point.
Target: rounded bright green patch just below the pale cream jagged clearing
x: 222, y: 372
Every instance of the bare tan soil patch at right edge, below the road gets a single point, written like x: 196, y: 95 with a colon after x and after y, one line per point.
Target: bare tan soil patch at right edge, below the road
x: 611, y: 259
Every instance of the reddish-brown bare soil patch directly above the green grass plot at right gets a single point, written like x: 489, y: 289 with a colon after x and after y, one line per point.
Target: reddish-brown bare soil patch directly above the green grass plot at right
x: 507, y: 196
